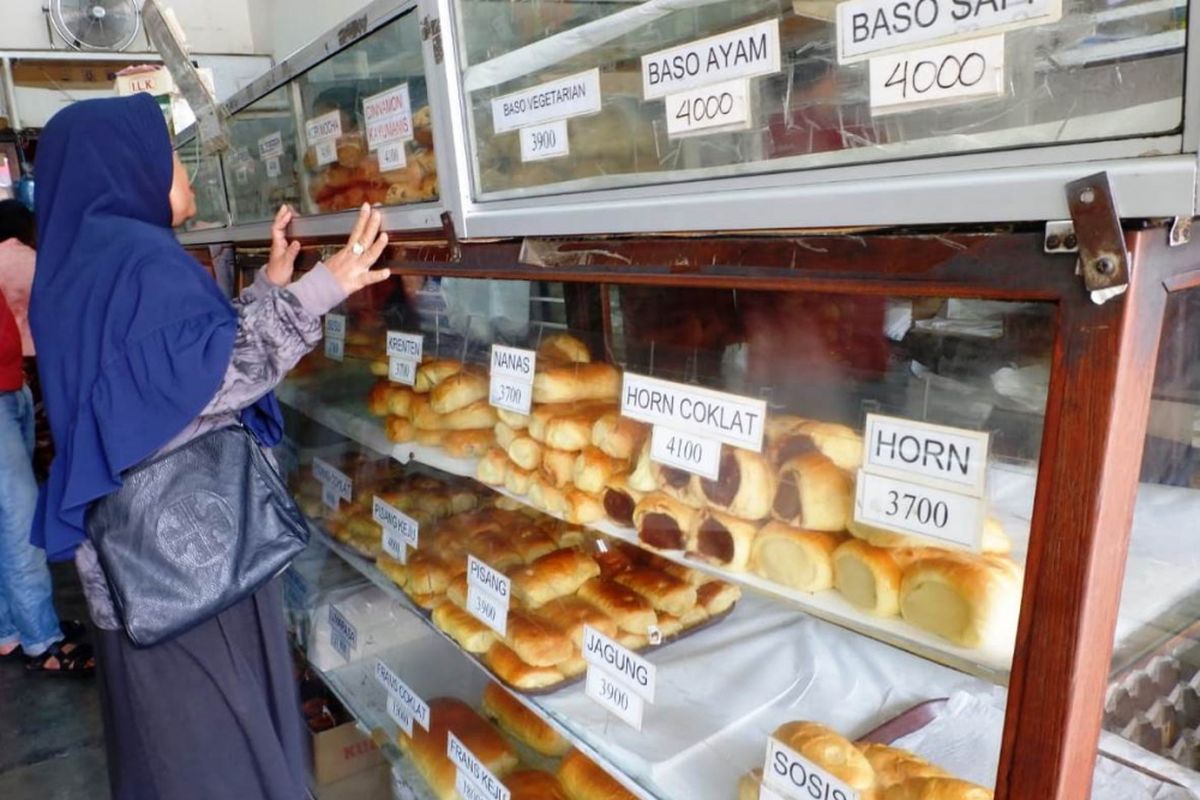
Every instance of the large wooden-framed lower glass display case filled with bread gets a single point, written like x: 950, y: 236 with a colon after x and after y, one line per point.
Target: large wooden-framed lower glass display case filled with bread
x: 689, y: 525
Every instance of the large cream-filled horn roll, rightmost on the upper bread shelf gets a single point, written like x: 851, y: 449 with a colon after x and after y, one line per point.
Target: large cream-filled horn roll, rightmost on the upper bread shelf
x: 964, y: 599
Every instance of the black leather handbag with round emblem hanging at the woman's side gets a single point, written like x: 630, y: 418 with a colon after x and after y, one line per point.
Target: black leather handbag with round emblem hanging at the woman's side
x: 194, y: 532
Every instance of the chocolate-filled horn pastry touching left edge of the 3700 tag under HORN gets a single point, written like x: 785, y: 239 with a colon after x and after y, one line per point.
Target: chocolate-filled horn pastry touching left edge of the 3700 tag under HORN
x: 813, y: 495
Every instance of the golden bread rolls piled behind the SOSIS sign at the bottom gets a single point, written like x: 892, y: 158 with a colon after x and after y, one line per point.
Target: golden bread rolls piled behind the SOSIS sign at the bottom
x: 875, y: 772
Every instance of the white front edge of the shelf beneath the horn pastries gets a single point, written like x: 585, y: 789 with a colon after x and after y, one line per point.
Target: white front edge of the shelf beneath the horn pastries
x: 991, y: 664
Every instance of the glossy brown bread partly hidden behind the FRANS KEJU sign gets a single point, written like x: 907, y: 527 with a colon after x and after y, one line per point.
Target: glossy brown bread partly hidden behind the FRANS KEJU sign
x: 428, y: 749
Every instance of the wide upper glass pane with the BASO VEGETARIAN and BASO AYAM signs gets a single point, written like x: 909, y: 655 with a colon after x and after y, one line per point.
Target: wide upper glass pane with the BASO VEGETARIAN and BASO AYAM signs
x: 1106, y: 70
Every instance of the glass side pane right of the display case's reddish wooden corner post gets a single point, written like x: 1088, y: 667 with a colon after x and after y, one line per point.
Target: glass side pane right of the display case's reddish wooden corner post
x: 1153, y: 711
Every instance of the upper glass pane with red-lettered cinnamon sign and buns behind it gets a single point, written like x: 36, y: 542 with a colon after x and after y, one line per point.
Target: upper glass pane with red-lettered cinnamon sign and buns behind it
x: 377, y: 141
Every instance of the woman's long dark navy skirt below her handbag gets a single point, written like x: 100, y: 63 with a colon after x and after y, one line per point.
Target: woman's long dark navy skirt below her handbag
x: 214, y: 713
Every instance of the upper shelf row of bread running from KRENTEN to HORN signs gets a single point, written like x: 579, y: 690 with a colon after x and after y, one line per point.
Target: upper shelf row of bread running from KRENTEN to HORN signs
x: 779, y: 522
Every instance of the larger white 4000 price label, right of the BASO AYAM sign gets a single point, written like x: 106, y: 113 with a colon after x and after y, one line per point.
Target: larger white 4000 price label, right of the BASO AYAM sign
x: 939, y: 76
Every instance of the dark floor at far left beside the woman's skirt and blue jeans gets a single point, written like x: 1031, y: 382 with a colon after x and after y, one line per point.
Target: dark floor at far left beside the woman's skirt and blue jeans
x: 51, y: 742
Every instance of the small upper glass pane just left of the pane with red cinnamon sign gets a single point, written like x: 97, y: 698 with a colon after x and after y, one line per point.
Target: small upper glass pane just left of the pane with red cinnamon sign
x: 261, y: 167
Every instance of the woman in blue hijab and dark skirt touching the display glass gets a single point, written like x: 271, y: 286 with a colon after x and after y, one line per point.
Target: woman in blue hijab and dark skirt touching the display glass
x: 139, y: 353
